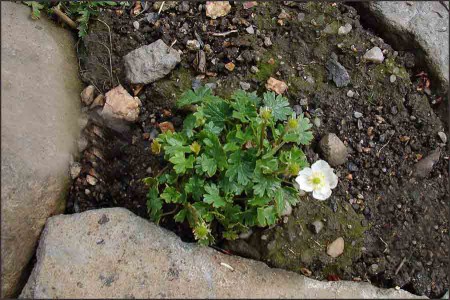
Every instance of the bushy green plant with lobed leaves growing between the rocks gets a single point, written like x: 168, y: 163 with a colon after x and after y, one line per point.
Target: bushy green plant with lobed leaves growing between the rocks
x: 232, y: 166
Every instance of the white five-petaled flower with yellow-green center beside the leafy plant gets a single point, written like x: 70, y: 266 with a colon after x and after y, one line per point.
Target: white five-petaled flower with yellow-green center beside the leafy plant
x: 319, y: 179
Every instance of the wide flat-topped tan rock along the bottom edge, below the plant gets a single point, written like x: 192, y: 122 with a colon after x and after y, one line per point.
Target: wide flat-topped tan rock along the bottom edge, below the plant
x: 112, y: 253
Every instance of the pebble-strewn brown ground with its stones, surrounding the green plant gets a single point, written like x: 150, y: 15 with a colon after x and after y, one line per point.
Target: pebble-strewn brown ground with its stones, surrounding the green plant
x: 389, y: 213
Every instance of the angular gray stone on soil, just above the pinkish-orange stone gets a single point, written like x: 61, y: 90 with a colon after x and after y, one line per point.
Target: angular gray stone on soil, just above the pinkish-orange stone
x: 150, y: 63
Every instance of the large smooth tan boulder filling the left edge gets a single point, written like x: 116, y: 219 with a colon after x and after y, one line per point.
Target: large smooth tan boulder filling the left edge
x: 40, y: 106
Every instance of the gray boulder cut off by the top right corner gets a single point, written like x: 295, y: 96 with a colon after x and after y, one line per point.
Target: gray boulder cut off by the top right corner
x: 418, y: 25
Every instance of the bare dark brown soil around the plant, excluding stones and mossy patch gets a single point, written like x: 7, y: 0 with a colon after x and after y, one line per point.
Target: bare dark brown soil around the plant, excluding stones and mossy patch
x: 405, y: 218
